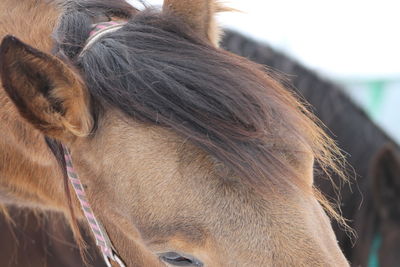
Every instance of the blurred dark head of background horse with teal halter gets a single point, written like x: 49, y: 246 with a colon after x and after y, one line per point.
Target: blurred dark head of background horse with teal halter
x: 378, y: 222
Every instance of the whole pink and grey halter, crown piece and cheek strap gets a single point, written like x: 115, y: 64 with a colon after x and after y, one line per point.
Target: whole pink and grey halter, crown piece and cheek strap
x: 99, y: 233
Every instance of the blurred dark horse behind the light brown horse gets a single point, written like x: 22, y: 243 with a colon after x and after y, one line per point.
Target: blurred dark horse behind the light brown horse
x: 368, y: 149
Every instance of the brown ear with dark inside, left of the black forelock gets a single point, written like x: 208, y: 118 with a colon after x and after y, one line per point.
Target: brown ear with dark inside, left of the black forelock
x: 46, y: 92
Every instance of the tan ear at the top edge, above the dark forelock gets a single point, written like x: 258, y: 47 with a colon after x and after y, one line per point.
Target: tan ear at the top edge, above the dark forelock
x: 199, y: 15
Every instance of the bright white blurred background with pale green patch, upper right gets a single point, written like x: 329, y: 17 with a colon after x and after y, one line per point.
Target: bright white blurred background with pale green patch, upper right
x: 355, y: 43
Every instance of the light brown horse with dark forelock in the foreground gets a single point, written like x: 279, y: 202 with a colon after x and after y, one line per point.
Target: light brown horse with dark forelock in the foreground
x: 189, y: 155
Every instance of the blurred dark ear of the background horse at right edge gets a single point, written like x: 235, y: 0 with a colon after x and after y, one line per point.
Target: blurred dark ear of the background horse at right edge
x: 386, y: 182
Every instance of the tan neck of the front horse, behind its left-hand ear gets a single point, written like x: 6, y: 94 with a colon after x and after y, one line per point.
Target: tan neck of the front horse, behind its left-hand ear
x: 29, y: 174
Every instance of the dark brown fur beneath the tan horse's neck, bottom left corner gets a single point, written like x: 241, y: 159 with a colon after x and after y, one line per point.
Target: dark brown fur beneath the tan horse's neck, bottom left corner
x: 41, y: 240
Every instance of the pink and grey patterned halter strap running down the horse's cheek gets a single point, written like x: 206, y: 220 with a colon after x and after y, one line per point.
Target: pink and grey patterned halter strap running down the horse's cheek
x: 99, y: 233
